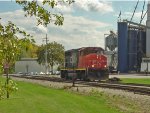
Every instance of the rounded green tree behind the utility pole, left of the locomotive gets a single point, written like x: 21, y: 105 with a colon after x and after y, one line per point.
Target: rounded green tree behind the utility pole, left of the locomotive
x: 55, y: 54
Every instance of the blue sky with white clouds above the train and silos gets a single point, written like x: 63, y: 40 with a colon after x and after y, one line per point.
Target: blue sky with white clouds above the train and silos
x: 85, y: 21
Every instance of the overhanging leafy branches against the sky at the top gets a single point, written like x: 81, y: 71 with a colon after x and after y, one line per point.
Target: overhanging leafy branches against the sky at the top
x: 43, y: 16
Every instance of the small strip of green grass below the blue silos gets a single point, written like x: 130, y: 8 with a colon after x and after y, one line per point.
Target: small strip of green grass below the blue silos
x: 136, y: 80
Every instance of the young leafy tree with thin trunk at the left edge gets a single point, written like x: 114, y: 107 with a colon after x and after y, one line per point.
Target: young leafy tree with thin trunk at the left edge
x: 10, y: 47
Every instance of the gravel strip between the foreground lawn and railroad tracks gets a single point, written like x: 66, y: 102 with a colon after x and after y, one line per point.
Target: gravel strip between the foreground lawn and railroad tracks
x: 142, y: 102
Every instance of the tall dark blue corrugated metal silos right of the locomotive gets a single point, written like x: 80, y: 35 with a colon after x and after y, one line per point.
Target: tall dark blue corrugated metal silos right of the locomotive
x: 131, y: 46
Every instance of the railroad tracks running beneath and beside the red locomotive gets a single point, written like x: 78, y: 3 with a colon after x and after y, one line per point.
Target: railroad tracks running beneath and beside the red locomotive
x: 136, y: 88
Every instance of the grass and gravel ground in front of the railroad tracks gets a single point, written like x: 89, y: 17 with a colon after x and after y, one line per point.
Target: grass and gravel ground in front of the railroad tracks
x: 79, y: 99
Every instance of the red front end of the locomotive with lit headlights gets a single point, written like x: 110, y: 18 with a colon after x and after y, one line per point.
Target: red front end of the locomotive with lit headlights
x: 95, y: 63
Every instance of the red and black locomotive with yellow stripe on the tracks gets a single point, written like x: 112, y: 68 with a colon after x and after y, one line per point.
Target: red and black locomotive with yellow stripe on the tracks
x: 86, y: 63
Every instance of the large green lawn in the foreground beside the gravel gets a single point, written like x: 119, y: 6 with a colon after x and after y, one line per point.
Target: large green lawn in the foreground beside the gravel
x: 33, y: 98
